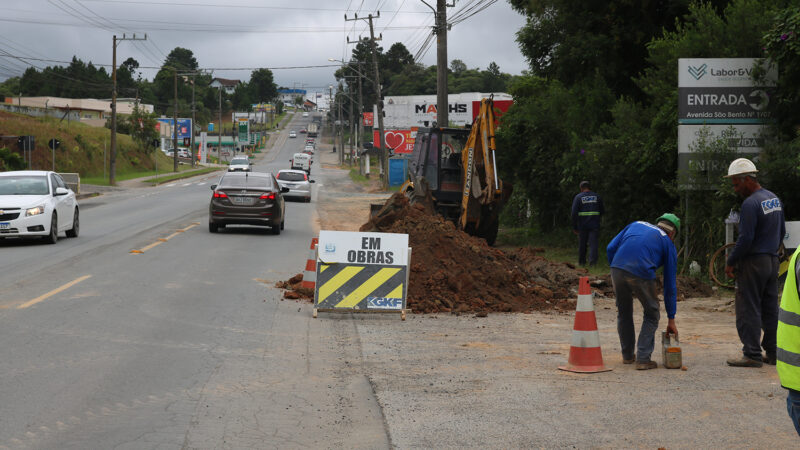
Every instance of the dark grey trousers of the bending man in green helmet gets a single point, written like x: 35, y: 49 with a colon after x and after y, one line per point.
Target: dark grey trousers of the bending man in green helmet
x: 626, y: 285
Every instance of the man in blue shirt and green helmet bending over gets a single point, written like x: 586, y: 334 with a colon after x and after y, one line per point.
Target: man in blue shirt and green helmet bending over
x: 634, y: 256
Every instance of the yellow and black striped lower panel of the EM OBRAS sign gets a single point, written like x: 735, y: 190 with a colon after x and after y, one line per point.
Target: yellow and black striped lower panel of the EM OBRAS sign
x: 360, y: 286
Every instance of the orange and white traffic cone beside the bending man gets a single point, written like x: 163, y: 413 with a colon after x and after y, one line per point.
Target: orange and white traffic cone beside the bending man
x: 585, y: 355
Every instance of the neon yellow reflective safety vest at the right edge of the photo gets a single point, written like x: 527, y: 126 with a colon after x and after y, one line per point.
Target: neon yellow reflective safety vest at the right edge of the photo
x: 788, y: 353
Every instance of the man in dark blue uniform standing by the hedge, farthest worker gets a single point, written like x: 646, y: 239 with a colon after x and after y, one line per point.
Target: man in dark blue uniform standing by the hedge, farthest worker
x: 587, y: 207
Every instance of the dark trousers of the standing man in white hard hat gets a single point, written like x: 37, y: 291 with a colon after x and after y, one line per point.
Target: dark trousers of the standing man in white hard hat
x: 757, y: 304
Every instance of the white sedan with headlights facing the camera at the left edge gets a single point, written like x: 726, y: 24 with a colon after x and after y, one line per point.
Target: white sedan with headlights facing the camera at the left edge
x: 37, y: 203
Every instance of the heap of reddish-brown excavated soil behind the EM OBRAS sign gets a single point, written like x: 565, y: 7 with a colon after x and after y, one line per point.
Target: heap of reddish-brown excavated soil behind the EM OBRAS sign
x: 452, y: 271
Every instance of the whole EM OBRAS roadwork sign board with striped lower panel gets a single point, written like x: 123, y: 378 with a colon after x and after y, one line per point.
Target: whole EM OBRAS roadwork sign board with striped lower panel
x: 361, y: 272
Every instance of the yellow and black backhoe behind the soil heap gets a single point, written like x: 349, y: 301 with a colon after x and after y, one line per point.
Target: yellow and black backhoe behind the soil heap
x: 454, y: 171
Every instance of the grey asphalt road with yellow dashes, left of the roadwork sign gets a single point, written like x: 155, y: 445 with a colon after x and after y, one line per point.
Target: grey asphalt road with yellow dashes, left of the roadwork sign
x: 185, y: 345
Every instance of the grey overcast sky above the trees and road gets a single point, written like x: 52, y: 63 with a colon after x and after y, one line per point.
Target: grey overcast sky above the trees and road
x: 247, y: 34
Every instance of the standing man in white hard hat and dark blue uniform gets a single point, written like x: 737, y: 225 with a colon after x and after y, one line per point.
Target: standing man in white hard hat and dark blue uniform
x: 754, y: 264
